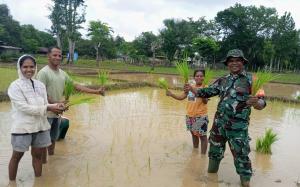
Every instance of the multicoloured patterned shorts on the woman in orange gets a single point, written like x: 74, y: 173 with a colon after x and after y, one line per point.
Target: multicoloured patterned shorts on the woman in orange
x: 197, y: 125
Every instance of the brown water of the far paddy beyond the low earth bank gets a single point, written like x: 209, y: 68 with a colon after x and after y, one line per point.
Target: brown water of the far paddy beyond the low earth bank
x: 272, y: 89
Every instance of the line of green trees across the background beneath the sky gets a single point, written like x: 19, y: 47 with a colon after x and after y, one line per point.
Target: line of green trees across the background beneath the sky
x: 267, y: 39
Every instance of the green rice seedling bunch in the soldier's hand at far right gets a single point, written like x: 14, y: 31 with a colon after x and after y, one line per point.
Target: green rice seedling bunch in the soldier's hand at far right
x: 261, y: 78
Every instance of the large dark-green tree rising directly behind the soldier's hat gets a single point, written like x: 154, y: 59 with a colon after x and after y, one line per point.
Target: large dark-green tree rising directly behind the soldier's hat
x: 246, y: 28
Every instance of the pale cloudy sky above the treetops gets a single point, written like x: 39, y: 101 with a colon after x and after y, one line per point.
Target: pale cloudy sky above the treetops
x: 129, y: 18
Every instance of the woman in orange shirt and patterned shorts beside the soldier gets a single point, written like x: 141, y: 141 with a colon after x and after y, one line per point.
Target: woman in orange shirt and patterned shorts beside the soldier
x: 196, y: 117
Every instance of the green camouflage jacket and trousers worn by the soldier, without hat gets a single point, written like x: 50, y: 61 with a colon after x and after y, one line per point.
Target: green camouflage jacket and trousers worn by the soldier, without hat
x: 231, y: 120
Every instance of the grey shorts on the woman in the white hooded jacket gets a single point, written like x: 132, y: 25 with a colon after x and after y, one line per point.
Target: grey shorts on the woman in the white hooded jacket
x: 21, y: 142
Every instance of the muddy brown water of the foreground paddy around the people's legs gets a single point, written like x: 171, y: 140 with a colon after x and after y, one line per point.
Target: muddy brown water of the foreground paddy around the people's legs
x: 138, y: 138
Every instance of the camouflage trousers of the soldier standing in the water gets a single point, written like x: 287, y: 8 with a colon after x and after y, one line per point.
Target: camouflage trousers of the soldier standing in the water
x: 236, y: 133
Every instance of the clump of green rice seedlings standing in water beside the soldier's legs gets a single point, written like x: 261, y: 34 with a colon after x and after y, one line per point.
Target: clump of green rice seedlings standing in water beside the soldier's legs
x: 263, y: 144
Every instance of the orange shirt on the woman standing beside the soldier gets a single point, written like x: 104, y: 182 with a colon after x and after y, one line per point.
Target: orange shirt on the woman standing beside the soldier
x: 195, y: 106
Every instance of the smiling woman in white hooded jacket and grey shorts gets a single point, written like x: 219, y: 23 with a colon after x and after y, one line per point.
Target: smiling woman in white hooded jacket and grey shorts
x: 29, y: 120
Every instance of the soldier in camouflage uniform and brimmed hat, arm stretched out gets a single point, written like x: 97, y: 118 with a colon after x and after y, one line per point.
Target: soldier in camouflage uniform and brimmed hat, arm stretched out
x: 232, y: 116
